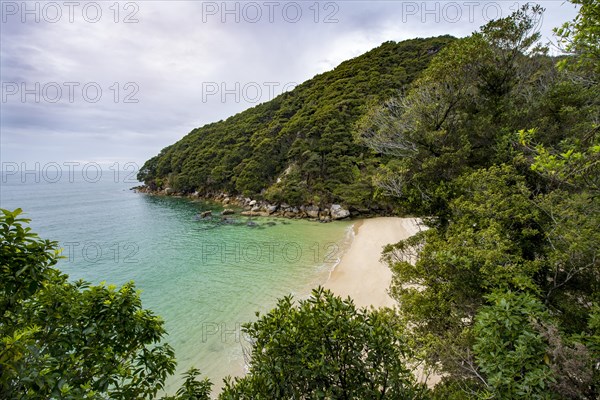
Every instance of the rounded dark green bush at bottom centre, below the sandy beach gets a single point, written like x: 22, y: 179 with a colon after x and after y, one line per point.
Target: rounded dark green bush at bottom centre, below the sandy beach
x: 325, y: 348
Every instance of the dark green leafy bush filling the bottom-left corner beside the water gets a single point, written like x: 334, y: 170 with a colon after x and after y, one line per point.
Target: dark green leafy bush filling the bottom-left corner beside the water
x: 73, y: 340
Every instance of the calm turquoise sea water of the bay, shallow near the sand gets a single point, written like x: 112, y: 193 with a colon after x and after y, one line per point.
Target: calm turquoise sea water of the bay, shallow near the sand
x: 204, y: 277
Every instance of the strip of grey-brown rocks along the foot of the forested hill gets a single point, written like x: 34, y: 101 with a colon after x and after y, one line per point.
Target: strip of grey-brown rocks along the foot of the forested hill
x: 259, y: 208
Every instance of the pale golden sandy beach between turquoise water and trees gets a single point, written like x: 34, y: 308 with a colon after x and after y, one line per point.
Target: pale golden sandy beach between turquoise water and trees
x: 360, y: 274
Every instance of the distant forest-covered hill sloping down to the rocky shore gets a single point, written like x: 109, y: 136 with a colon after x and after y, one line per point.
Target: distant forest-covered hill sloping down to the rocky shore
x: 300, y: 147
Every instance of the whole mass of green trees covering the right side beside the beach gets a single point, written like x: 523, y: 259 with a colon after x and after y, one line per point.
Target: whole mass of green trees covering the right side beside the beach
x: 501, y: 159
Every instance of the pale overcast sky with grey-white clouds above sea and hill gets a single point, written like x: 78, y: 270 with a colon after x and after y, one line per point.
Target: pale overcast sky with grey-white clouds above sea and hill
x: 107, y: 82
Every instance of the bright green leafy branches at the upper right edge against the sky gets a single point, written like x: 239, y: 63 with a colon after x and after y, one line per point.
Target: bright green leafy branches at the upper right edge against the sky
x: 574, y: 162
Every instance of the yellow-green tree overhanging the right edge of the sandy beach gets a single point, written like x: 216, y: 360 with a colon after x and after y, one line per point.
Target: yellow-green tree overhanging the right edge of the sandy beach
x: 442, y: 275
